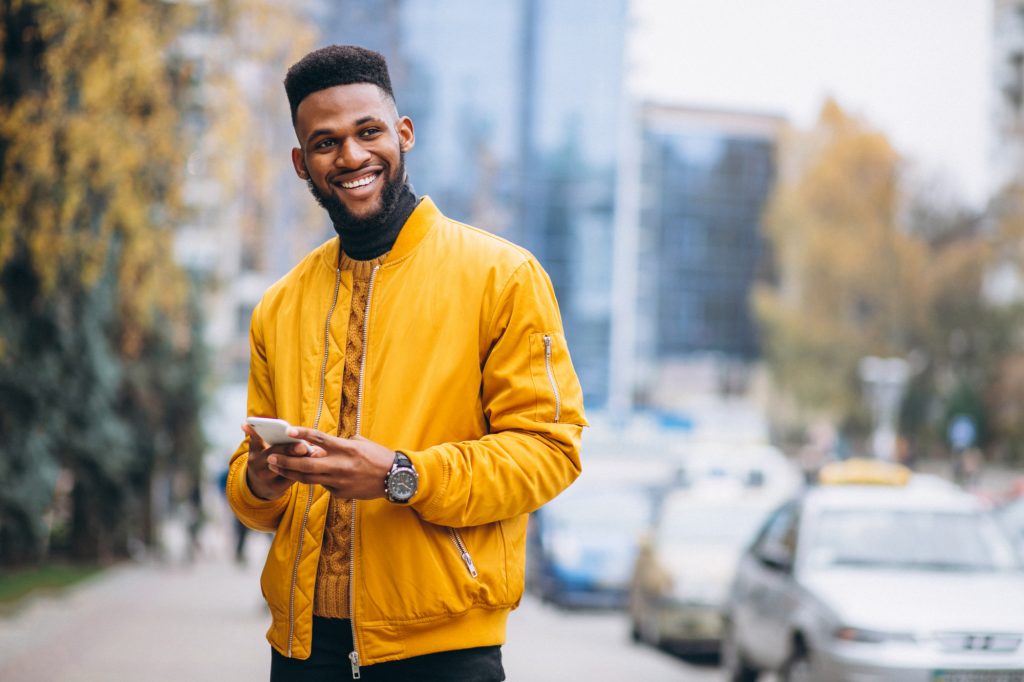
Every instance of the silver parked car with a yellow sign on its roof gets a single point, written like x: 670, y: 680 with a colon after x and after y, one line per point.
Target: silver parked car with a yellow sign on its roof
x: 879, y: 580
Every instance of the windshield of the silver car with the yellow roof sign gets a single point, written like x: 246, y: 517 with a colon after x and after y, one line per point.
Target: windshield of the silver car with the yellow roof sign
x: 911, y: 539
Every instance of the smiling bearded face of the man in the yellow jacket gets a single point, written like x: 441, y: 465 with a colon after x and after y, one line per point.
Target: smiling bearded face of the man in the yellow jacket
x: 353, y: 146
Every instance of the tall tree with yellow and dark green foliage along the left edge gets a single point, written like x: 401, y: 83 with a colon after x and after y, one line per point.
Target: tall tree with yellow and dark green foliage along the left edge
x: 92, y: 302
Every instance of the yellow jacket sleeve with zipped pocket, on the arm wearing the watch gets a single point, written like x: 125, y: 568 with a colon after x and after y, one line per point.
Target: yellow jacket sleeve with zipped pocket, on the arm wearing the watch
x: 534, y: 406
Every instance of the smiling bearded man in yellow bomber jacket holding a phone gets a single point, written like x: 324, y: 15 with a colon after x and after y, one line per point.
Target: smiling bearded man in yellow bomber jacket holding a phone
x: 424, y: 367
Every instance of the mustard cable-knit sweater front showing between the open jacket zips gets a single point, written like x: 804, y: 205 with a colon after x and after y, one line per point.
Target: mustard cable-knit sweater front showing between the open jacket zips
x: 331, y: 599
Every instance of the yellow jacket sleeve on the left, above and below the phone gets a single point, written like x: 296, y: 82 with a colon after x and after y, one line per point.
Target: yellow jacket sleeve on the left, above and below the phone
x: 255, y: 513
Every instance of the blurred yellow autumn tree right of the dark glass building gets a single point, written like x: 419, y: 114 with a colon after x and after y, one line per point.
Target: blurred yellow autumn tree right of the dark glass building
x: 870, y: 264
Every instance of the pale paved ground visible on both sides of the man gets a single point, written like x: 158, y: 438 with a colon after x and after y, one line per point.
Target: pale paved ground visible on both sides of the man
x: 205, y: 621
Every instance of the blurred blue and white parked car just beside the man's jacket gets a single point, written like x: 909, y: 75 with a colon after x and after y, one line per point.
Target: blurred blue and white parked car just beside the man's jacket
x: 583, y: 544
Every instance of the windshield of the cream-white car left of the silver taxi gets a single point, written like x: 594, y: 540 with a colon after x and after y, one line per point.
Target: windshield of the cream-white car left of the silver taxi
x: 724, y: 526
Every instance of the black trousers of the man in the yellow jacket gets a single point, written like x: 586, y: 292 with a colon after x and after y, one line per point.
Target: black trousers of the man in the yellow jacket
x: 333, y: 644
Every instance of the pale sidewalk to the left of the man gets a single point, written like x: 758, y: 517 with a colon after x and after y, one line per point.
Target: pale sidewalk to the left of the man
x: 159, y: 623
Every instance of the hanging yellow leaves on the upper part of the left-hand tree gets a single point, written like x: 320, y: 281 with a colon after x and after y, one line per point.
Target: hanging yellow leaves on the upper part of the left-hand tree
x: 93, y: 154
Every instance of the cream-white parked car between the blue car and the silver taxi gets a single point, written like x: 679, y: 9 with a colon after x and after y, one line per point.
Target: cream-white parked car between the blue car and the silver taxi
x: 687, y: 565
